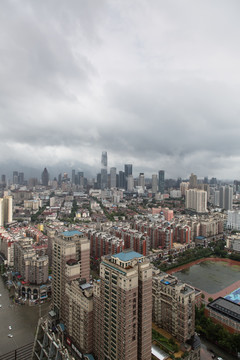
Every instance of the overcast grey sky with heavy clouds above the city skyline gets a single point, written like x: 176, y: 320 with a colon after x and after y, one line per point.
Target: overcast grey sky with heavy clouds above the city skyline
x: 155, y: 83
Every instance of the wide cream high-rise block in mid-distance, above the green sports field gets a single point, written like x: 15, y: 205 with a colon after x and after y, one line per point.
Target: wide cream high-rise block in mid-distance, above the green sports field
x: 196, y: 200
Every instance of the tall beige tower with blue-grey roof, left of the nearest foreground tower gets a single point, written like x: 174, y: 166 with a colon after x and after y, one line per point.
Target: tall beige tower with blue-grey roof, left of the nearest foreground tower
x: 70, y: 261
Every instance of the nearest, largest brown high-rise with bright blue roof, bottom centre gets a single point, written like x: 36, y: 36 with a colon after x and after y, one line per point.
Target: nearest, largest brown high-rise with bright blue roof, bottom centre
x: 123, y: 308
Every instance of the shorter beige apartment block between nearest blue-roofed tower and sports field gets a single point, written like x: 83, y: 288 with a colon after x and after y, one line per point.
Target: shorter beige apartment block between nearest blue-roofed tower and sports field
x: 174, y: 306
